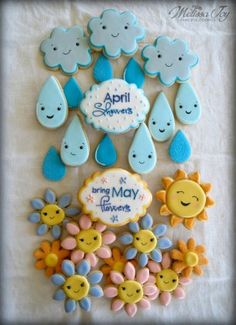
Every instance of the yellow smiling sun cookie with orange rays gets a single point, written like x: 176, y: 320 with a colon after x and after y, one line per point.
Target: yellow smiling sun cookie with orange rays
x: 184, y: 198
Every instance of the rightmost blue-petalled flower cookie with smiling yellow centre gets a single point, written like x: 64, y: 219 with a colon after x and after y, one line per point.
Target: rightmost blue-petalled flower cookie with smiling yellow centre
x: 146, y: 242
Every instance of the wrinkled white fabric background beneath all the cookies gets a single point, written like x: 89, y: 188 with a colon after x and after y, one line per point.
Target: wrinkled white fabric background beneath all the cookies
x: 27, y: 293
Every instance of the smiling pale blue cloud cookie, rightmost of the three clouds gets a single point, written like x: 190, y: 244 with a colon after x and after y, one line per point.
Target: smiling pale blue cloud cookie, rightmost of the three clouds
x: 170, y: 60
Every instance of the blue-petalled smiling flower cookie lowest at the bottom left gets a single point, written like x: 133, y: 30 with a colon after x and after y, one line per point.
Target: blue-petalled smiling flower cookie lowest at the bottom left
x: 76, y: 285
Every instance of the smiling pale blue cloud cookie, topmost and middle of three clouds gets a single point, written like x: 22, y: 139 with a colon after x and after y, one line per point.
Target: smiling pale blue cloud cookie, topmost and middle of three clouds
x: 115, y: 33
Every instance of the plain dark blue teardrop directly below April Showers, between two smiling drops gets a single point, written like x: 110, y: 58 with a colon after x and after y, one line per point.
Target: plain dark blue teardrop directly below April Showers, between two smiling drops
x: 105, y: 154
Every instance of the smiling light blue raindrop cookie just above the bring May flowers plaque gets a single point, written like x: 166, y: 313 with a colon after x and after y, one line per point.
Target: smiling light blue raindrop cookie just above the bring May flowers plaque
x: 142, y: 153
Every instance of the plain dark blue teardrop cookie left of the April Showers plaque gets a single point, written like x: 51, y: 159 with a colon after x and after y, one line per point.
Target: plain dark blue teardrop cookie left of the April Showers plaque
x: 73, y: 93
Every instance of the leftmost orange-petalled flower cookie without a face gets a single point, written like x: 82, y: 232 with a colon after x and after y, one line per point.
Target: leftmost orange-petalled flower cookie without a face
x: 49, y: 256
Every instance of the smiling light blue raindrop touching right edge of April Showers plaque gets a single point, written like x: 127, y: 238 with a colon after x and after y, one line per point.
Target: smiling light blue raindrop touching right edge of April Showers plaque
x: 161, y: 122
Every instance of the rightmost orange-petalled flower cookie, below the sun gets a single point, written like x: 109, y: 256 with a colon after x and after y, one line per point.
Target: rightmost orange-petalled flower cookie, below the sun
x: 188, y: 258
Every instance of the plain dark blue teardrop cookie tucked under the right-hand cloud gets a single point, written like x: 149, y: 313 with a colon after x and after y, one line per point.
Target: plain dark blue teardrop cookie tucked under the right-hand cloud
x: 133, y: 73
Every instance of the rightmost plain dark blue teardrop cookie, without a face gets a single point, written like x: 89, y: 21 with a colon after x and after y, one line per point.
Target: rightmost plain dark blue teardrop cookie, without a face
x: 180, y: 148
